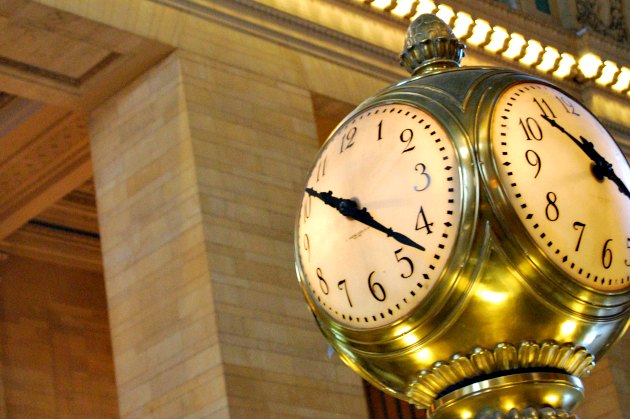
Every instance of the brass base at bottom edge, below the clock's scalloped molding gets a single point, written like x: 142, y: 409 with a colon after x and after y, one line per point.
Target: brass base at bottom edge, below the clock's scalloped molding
x: 522, y: 395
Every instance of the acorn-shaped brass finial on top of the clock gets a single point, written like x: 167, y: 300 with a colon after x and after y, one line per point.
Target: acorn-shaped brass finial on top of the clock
x: 430, y: 45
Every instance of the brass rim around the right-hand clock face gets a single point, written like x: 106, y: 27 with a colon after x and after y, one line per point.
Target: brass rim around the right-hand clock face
x: 519, y: 243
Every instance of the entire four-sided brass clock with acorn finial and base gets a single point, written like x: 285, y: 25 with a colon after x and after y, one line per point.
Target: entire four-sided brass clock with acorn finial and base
x: 440, y: 243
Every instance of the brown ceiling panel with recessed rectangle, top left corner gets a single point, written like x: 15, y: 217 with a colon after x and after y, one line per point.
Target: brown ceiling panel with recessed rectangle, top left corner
x: 63, y: 59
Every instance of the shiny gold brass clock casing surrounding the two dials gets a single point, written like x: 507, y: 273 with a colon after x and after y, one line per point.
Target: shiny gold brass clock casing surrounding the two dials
x: 500, y: 306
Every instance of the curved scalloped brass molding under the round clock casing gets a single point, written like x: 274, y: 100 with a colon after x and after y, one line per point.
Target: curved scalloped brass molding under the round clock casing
x: 504, y: 357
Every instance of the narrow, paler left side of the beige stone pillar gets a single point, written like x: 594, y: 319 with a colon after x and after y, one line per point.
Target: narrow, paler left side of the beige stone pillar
x: 162, y: 313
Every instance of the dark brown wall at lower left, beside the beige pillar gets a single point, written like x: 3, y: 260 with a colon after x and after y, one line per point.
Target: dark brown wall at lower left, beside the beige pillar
x: 55, y: 342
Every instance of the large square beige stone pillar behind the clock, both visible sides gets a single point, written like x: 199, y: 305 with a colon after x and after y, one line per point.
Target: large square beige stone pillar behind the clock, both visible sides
x: 199, y: 168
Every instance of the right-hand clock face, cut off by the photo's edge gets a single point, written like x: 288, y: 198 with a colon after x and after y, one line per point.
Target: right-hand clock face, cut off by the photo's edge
x: 551, y: 153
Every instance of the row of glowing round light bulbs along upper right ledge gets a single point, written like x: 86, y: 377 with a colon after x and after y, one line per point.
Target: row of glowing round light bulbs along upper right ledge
x: 514, y: 46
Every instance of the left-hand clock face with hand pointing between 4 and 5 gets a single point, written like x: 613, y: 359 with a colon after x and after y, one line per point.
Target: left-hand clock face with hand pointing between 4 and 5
x: 379, y: 217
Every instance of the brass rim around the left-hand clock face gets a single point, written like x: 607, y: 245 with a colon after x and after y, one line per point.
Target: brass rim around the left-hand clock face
x: 441, y: 290
